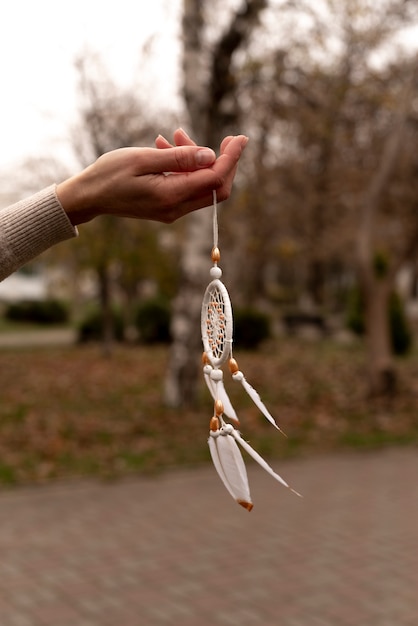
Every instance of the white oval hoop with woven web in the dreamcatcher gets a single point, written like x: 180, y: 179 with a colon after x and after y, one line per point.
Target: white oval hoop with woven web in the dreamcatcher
x: 216, y: 323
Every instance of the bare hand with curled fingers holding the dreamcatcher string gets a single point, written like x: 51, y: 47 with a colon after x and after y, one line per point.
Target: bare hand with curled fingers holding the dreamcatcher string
x: 133, y: 182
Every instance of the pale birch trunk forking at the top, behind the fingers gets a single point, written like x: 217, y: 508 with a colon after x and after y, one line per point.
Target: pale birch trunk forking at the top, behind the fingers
x: 209, y: 91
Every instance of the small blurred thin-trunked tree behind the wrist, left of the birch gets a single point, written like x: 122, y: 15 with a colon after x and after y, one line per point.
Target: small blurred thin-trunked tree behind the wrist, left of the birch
x: 117, y: 250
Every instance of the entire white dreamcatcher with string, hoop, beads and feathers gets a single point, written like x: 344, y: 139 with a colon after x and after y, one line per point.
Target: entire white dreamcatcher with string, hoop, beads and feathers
x: 217, y: 331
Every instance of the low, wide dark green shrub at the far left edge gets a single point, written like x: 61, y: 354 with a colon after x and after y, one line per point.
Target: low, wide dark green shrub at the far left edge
x: 49, y: 311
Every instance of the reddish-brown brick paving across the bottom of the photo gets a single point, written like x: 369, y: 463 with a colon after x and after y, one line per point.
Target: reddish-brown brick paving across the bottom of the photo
x: 177, y: 550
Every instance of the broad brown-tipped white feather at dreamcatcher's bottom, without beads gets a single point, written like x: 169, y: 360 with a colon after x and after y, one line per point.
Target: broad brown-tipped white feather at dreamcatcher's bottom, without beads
x: 234, y: 468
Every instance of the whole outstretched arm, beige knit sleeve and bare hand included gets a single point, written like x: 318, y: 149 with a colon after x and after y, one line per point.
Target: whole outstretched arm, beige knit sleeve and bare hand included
x: 128, y: 182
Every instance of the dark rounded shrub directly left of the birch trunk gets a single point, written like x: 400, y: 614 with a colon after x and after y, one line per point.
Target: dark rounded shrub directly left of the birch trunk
x: 153, y: 318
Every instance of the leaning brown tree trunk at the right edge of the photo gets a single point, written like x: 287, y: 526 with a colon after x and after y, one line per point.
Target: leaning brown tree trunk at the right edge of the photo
x: 380, y: 254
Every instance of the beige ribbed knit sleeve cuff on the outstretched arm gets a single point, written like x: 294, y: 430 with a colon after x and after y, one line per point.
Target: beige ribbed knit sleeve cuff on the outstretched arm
x: 30, y: 227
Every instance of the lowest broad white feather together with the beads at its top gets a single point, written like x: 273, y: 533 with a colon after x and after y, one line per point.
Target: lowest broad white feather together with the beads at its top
x: 229, y: 463
